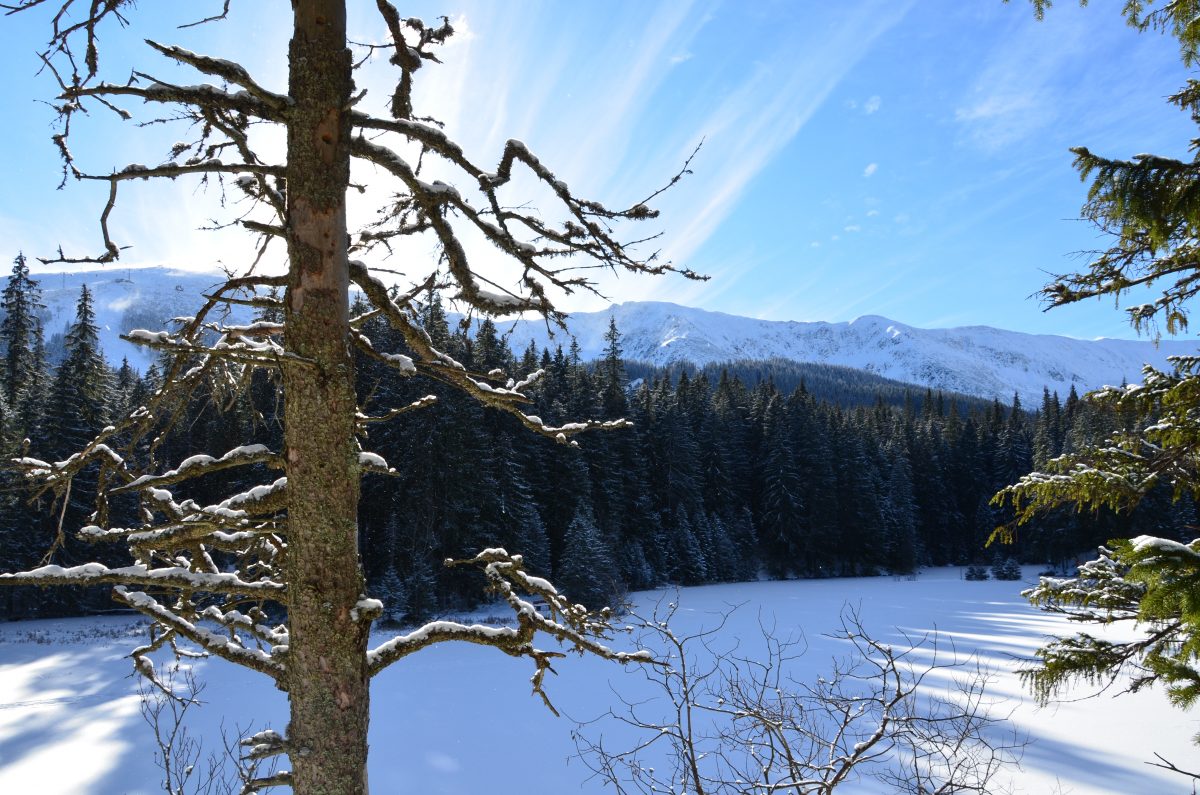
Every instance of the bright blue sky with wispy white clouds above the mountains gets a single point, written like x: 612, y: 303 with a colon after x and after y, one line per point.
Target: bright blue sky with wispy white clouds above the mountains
x: 861, y: 158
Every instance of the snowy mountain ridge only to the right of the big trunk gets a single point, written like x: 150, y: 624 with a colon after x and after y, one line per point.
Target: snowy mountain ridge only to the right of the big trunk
x: 976, y: 361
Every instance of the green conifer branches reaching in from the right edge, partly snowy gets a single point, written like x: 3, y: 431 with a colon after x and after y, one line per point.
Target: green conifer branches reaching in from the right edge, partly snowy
x: 1148, y: 206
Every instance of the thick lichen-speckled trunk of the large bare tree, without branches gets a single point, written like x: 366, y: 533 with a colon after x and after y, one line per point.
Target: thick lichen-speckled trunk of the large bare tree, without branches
x: 327, y: 676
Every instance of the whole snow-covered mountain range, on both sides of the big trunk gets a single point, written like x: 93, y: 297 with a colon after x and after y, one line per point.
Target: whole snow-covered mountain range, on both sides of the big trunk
x: 976, y: 361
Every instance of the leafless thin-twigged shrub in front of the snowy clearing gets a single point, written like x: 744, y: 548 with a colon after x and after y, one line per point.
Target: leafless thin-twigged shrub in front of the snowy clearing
x: 722, y: 721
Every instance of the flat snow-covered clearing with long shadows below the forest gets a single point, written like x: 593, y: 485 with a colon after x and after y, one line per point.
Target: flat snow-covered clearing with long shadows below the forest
x: 460, y: 719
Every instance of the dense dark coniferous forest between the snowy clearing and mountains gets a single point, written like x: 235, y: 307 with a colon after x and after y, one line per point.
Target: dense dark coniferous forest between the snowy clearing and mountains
x: 728, y: 474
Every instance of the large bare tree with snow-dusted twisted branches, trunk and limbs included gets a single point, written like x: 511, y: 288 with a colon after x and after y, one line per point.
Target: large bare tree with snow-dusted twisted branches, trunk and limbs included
x: 209, y: 575
